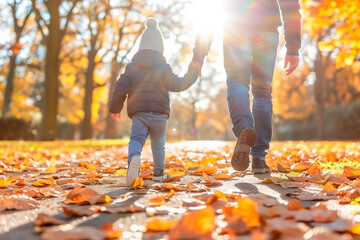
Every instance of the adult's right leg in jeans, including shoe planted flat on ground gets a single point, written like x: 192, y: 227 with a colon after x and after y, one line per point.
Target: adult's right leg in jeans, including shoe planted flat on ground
x: 264, y: 58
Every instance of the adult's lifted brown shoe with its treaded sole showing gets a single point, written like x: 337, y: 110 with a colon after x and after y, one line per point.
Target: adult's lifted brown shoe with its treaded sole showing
x: 246, y: 139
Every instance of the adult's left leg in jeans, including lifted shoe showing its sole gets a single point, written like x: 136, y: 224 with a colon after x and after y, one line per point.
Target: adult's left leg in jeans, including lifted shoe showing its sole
x: 237, y: 61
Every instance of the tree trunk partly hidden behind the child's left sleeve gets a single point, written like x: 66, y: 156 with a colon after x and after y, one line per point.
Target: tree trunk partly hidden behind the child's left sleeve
x: 110, y: 132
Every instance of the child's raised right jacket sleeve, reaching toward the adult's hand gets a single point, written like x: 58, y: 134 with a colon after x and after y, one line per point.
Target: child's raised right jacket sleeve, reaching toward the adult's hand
x: 177, y: 84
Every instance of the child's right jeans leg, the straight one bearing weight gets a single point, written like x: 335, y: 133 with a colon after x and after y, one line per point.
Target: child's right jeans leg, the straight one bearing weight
x: 157, y: 131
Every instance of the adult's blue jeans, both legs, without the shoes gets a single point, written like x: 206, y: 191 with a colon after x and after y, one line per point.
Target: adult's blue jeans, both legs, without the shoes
x: 249, y: 59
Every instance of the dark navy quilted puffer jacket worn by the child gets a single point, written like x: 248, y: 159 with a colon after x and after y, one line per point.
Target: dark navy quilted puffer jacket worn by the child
x: 146, y: 82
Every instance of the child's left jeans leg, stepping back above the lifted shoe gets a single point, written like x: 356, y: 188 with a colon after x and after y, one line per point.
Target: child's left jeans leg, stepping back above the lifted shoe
x: 138, y: 135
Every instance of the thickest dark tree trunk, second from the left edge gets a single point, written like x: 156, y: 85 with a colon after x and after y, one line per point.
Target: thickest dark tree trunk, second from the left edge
x: 51, y: 95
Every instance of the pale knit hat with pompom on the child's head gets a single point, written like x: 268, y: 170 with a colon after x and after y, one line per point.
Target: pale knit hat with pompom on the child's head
x: 152, y: 37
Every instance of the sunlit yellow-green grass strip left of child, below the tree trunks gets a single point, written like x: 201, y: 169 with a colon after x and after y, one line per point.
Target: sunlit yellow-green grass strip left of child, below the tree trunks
x: 63, y: 145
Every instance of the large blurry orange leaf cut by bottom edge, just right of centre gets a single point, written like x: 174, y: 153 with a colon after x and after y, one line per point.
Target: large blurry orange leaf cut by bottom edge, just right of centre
x: 198, y: 224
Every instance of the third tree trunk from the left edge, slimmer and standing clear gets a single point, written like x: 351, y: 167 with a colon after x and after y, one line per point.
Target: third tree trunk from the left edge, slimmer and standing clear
x: 86, y: 128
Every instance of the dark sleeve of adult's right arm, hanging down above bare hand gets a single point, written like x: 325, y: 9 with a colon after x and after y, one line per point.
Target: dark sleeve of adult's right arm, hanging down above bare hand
x: 290, y: 10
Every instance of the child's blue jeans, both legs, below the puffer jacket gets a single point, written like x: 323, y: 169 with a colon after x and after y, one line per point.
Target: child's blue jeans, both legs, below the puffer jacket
x: 153, y: 124
